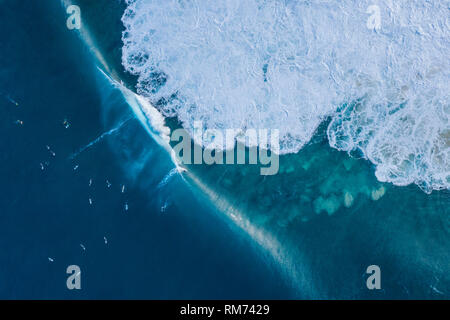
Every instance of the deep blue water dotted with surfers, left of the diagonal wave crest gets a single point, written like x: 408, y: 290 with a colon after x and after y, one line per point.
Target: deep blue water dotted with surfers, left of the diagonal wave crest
x: 187, y: 251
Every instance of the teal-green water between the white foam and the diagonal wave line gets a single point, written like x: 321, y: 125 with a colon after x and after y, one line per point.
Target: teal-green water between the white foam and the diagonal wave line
x: 325, y: 217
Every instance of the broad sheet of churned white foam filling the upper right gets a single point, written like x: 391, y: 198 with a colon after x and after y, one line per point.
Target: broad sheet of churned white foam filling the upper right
x: 289, y: 65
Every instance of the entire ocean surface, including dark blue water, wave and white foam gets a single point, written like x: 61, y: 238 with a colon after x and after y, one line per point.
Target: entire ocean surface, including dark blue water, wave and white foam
x: 309, y: 231
